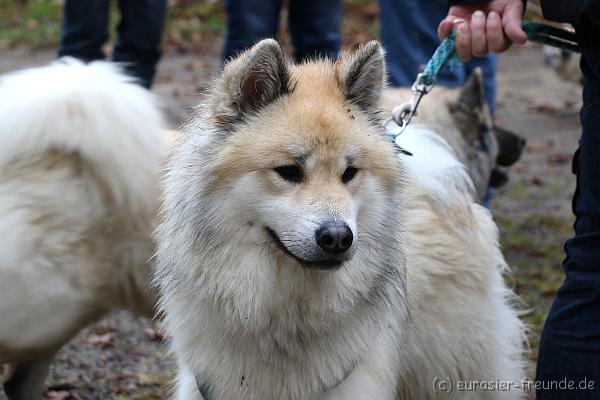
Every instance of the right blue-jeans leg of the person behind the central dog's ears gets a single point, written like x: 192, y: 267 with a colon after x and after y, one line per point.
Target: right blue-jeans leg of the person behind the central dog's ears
x: 315, y: 28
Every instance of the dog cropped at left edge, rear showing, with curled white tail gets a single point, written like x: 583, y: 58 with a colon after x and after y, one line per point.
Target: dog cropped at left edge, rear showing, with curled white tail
x: 80, y: 157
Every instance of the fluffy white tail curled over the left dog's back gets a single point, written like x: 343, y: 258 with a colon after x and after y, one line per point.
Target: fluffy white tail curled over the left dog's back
x: 92, y: 110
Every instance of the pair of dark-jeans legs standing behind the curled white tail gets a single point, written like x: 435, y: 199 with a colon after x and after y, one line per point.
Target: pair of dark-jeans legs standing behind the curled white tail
x: 85, y: 30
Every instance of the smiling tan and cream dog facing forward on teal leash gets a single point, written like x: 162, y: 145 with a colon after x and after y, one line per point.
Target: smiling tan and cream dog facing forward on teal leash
x: 300, y: 258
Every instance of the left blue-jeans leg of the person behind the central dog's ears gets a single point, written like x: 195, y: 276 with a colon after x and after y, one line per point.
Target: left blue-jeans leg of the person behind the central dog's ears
x: 248, y: 21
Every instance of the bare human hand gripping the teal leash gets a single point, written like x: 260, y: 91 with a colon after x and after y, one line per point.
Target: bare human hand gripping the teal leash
x: 484, y: 27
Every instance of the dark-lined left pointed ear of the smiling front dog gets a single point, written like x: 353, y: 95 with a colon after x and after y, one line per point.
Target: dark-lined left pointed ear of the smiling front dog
x: 251, y: 81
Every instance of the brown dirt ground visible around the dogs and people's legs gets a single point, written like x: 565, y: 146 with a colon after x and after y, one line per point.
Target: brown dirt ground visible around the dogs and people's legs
x: 122, y: 357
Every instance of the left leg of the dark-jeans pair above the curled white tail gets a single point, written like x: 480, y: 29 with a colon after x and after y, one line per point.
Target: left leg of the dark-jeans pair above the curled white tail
x: 84, y: 29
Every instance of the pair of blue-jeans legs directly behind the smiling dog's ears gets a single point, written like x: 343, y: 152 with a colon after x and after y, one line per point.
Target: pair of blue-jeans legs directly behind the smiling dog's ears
x: 314, y: 26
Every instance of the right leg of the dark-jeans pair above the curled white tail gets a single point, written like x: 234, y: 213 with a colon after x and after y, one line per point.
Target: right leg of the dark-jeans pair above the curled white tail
x: 139, y: 35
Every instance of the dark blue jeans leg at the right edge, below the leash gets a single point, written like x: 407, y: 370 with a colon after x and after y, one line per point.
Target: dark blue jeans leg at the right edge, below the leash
x: 570, y: 342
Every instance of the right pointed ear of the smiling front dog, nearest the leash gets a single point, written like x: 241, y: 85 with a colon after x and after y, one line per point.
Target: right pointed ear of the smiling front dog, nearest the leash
x: 362, y: 77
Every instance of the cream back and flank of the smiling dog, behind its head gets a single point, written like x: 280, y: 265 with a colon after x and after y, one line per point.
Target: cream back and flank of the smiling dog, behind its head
x: 454, y: 272
